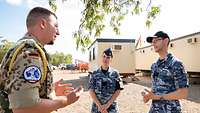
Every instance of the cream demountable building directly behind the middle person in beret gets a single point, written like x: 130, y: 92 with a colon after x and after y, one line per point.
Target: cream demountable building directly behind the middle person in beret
x: 123, y: 54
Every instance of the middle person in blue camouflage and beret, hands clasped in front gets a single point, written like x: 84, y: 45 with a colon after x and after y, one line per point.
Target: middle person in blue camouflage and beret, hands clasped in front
x: 104, y: 86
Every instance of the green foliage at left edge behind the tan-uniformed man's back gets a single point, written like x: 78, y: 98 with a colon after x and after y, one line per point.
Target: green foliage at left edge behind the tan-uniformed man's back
x: 5, y: 45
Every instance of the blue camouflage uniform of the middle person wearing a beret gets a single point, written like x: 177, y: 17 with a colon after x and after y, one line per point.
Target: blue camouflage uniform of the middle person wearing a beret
x: 104, y: 86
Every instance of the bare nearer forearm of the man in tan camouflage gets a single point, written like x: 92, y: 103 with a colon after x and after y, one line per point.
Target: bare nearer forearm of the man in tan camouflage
x: 44, y: 106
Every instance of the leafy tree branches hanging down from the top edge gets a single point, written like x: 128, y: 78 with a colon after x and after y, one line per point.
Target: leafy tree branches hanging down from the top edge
x: 97, y: 11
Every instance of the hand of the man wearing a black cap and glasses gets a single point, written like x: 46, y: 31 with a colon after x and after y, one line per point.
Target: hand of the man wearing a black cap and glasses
x: 147, y: 95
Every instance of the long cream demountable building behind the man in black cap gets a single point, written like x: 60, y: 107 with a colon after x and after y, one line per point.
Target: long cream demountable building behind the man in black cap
x: 185, y: 48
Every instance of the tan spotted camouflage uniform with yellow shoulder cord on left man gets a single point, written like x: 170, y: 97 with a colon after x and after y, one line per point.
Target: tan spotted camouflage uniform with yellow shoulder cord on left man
x: 23, y: 86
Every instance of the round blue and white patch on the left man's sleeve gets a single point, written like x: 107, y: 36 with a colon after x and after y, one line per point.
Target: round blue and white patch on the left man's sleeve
x: 32, y: 74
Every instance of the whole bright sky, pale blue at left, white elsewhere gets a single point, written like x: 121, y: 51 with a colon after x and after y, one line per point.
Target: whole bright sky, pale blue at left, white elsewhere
x: 177, y: 18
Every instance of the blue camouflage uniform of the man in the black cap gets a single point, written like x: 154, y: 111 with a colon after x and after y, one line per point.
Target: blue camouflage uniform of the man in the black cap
x: 167, y: 76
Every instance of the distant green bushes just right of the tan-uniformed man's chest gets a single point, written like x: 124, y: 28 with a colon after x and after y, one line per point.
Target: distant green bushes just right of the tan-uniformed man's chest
x: 58, y: 58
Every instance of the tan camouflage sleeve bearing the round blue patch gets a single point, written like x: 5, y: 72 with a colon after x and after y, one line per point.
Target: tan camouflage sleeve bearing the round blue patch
x: 26, y: 81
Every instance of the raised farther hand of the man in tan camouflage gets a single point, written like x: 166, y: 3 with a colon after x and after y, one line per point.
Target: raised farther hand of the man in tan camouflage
x: 62, y: 89
